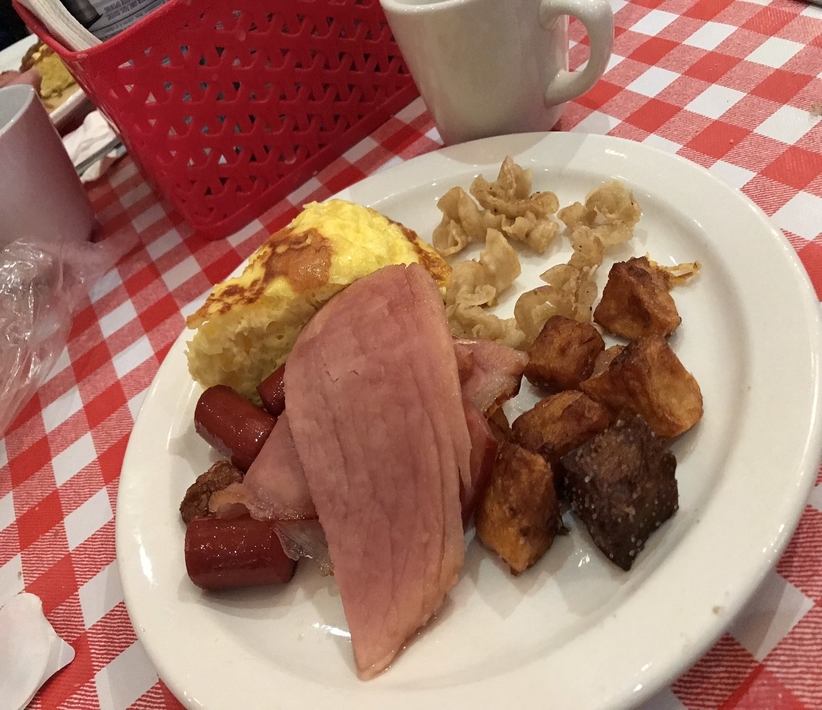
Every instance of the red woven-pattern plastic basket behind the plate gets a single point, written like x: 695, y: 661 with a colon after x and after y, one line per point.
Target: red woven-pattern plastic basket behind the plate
x: 228, y: 105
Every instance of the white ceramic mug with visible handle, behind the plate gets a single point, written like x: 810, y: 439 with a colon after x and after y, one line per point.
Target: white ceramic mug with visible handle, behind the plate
x: 493, y: 67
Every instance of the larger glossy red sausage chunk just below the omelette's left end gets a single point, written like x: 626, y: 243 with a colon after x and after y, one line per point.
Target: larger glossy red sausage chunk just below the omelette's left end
x: 232, y: 425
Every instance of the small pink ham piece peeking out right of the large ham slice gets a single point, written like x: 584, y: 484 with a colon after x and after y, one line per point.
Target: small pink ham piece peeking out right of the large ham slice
x: 490, y: 372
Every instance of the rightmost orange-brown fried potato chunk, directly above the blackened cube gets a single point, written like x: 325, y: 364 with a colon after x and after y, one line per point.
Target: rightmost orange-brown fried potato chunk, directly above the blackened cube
x: 647, y: 378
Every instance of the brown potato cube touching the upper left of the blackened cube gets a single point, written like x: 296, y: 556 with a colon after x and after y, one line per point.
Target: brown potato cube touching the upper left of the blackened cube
x: 559, y: 423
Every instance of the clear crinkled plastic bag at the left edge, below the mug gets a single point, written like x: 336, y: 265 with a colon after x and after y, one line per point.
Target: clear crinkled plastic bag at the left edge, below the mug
x: 42, y: 283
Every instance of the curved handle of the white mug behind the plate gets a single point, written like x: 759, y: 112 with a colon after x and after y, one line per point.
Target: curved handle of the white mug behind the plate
x: 598, y: 19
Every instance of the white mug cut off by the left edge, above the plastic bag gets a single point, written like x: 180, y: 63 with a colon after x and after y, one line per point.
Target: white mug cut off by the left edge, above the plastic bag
x: 41, y: 196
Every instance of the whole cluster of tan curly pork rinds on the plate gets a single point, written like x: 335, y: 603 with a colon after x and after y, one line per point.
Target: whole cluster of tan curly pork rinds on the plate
x: 508, y: 210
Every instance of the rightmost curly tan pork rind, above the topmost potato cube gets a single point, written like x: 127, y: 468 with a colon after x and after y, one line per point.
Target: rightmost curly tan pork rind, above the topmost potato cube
x: 610, y: 210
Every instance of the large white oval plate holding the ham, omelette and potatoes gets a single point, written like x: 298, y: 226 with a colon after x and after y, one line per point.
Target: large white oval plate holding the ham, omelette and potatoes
x: 574, y: 632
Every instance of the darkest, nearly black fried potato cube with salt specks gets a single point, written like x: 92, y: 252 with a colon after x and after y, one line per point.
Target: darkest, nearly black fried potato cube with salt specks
x: 622, y: 486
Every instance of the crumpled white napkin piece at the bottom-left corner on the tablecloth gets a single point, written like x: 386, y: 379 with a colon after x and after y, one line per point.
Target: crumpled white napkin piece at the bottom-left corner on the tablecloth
x: 30, y: 651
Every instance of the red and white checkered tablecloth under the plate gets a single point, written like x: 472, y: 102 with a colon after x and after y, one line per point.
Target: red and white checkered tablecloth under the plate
x: 729, y: 84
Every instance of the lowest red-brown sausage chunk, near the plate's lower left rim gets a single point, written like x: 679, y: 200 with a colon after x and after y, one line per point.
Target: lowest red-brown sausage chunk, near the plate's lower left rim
x: 239, y: 552
